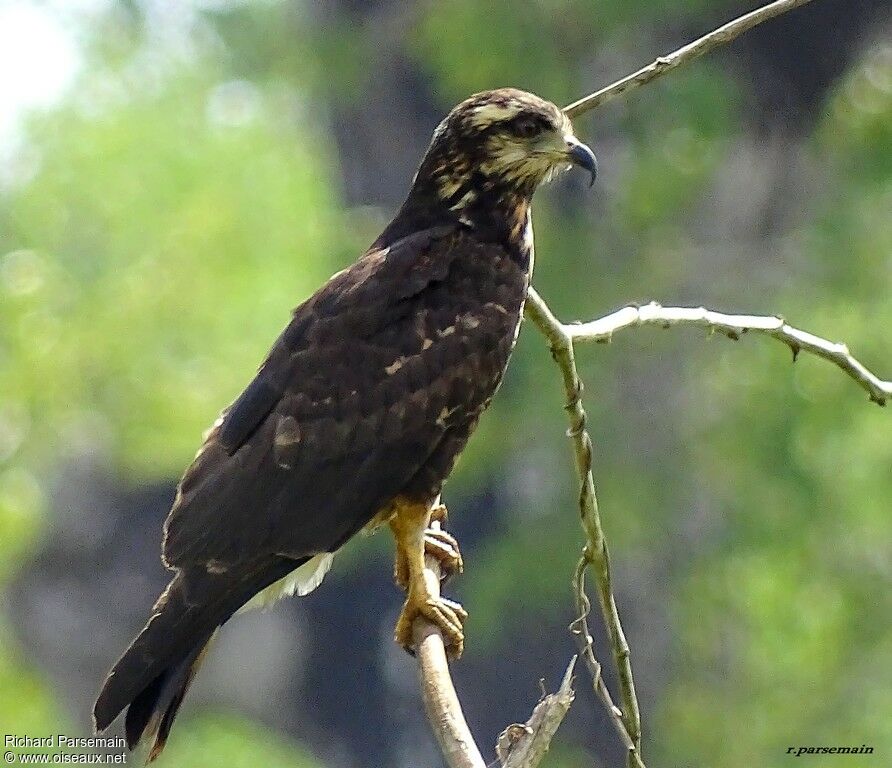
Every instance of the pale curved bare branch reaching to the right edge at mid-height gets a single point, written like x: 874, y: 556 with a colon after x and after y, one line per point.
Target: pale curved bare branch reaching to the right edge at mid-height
x: 734, y: 326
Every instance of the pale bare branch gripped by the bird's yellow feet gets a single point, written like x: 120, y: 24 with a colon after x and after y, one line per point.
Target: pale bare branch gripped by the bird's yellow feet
x: 440, y: 700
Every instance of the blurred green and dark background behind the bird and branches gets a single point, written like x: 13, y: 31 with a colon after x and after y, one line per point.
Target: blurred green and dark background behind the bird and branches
x: 175, y: 177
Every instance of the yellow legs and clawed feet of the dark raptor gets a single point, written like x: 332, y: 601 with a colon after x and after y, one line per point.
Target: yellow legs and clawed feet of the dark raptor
x: 413, y: 539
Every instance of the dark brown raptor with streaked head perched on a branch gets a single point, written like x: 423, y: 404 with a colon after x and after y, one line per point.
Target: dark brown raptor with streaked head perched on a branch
x: 359, y: 412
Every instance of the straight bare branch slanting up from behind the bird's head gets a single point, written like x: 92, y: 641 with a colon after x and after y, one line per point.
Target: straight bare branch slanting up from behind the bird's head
x: 665, y: 64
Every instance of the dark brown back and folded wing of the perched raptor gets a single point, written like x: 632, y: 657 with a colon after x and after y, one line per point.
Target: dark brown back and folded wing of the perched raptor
x: 370, y: 392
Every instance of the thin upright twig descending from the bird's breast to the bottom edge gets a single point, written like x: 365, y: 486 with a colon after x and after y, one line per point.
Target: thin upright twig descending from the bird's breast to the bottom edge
x: 561, y: 344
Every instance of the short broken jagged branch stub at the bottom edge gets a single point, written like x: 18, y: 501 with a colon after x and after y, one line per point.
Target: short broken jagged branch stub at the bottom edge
x: 524, y: 745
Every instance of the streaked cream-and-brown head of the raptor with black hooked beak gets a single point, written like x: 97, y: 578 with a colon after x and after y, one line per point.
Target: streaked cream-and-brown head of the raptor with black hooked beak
x: 501, y: 140
